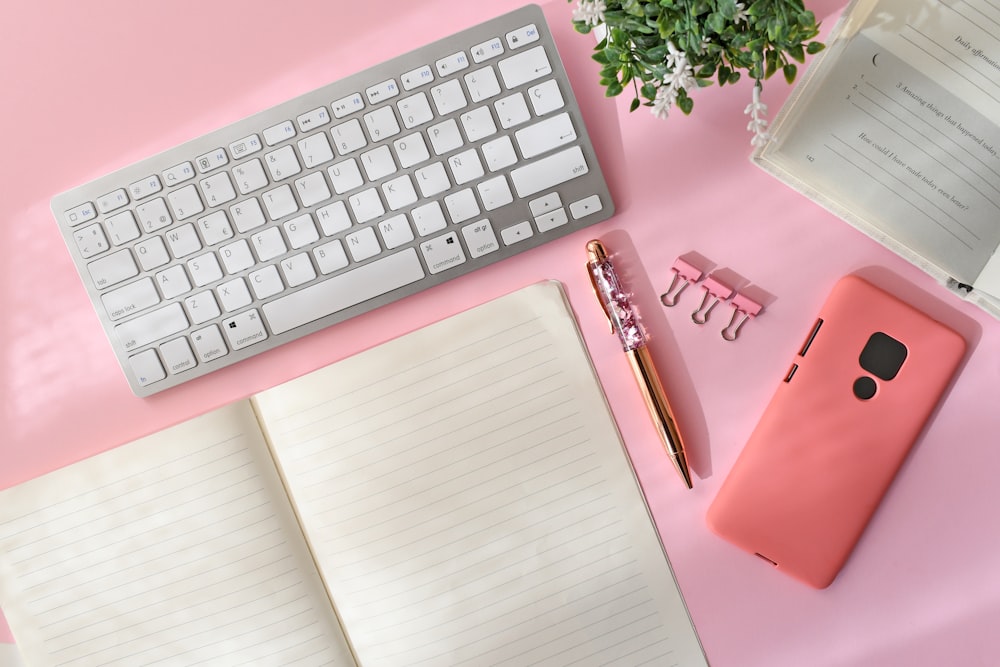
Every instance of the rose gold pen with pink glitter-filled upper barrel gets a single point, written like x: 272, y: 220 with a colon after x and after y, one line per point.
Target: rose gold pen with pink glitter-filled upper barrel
x: 623, y: 321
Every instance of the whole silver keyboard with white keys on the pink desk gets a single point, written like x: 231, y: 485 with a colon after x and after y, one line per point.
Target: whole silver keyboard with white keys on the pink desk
x: 423, y: 168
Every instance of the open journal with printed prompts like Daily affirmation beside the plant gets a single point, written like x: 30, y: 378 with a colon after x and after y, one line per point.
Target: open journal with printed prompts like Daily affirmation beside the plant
x: 896, y: 128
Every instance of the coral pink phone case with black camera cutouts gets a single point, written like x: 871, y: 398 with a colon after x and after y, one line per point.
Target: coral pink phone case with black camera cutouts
x: 836, y: 431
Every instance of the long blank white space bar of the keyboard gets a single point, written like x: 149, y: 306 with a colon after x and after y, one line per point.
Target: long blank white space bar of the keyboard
x: 343, y: 291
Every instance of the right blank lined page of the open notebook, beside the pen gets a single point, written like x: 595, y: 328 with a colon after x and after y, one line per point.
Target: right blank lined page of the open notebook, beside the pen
x: 468, y: 500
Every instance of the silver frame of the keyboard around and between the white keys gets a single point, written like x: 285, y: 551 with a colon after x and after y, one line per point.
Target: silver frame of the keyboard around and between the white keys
x: 591, y: 183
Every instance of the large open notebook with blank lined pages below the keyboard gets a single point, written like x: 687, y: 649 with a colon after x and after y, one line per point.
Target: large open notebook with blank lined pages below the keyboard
x: 457, y: 496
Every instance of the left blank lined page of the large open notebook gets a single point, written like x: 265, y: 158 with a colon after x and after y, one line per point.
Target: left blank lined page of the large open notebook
x: 178, y: 549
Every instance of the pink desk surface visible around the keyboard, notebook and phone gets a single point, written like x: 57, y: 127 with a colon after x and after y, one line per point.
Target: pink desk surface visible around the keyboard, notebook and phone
x: 91, y: 87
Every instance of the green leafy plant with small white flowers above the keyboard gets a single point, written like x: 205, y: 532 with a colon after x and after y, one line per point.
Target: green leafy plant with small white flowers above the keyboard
x: 665, y: 49
